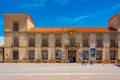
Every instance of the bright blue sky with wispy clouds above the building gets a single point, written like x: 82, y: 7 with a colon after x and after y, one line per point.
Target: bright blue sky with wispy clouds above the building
x: 61, y: 13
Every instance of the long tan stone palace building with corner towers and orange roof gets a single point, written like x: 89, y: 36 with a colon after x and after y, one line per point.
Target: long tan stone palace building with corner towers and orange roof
x: 25, y: 43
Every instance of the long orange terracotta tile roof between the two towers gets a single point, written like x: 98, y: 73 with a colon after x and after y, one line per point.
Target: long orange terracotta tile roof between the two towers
x: 69, y: 29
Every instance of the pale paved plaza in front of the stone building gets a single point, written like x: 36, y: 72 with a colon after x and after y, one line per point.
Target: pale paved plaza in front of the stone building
x: 58, y: 71
